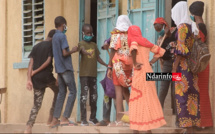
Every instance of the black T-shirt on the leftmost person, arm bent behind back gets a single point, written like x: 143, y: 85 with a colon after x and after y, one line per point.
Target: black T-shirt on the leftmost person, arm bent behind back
x: 40, y: 54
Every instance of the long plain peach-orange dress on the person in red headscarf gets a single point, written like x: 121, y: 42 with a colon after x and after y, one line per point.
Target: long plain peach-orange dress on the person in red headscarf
x: 145, y: 112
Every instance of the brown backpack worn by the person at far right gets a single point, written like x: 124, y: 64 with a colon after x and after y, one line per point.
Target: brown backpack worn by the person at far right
x: 199, y: 58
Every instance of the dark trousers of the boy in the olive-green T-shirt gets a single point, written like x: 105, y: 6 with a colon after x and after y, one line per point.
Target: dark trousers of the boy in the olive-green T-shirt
x: 88, y: 83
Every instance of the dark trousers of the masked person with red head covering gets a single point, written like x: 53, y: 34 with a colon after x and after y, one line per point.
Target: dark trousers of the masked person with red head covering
x: 164, y: 86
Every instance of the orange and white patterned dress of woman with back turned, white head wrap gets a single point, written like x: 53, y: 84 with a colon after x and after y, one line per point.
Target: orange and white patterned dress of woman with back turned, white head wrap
x: 122, y: 61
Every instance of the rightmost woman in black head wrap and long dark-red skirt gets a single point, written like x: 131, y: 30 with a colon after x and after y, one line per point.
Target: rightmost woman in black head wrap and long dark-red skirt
x: 197, y: 9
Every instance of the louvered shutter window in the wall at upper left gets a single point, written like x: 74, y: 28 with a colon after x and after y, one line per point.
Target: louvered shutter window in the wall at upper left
x: 33, y: 24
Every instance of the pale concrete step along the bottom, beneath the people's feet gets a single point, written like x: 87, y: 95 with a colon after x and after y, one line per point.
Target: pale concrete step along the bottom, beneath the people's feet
x: 41, y: 128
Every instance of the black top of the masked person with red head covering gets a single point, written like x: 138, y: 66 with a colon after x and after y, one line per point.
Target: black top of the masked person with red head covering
x: 167, y: 55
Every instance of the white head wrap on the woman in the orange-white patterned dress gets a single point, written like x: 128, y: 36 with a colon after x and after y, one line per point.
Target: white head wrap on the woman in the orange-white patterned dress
x: 123, y: 23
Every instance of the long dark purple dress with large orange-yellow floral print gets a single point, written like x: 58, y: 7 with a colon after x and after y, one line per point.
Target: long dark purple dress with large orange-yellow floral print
x: 186, y: 90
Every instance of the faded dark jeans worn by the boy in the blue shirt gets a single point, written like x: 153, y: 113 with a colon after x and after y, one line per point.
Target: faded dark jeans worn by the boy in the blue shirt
x: 65, y: 80
